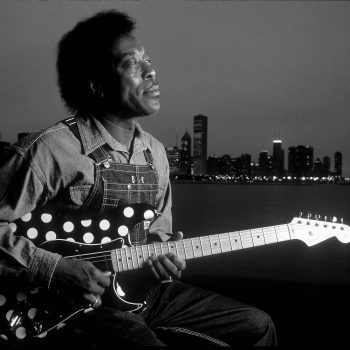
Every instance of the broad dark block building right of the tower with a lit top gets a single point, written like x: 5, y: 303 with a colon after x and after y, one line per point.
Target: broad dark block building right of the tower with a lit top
x: 300, y: 160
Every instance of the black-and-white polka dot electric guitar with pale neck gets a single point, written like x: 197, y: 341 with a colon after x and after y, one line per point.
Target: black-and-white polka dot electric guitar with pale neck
x: 117, y: 244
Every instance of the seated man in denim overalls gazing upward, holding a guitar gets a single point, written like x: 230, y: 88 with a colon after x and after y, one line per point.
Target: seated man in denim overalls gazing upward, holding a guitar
x: 101, y: 159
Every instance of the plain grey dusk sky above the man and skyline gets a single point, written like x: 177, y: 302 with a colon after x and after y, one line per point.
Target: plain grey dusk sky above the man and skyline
x: 258, y: 69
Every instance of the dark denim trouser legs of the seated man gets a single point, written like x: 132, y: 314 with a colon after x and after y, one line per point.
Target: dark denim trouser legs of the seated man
x: 177, y: 314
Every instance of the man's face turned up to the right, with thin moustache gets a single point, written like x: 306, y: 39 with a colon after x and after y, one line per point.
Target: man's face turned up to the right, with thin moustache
x: 131, y: 90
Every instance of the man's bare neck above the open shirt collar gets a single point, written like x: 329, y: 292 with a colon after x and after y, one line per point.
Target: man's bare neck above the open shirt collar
x: 122, y: 130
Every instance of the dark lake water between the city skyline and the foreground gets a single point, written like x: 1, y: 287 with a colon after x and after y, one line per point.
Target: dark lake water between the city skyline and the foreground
x: 204, y: 209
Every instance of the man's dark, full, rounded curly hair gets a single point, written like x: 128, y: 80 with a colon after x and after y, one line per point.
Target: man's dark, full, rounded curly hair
x: 82, y: 56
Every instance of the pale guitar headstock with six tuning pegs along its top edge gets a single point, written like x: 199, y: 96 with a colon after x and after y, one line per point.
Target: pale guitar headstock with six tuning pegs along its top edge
x: 313, y: 231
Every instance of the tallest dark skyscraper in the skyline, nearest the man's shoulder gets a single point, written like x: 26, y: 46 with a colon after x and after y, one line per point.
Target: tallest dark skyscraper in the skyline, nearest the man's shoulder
x: 200, y: 137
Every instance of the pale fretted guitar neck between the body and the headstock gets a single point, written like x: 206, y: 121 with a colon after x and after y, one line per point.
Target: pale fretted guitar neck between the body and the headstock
x: 131, y: 258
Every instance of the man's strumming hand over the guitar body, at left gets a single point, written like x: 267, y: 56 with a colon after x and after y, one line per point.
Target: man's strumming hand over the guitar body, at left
x: 80, y: 278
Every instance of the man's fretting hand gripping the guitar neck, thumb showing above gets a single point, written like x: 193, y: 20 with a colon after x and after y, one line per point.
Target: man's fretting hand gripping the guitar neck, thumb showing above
x: 169, y: 265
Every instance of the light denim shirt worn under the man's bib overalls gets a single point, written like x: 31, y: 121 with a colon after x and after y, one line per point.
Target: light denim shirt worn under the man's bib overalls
x: 43, y: 165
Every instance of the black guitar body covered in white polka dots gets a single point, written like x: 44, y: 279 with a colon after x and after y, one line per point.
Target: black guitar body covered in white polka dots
x: 112, y: 242
